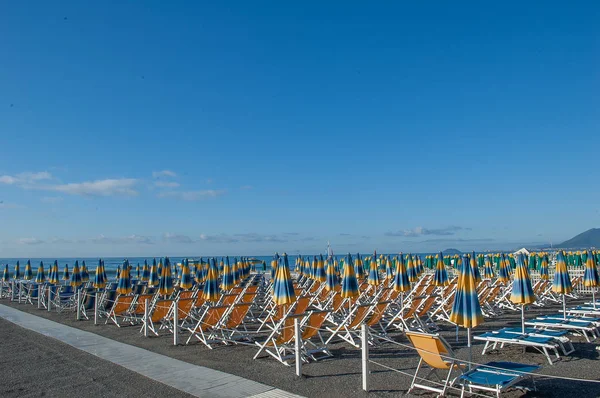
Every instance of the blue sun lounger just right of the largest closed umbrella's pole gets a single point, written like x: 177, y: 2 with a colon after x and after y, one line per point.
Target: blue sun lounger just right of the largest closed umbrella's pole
x: 498, y: 339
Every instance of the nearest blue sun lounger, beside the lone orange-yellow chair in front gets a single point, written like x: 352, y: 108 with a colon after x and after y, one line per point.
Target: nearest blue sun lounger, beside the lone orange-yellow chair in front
x: 494, y: 376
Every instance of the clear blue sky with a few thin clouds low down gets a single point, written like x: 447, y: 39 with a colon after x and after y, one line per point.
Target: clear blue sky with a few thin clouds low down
x: 155, y: 128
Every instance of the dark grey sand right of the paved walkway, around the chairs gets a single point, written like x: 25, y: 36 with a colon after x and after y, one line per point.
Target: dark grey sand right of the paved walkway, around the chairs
x: 341, y: 375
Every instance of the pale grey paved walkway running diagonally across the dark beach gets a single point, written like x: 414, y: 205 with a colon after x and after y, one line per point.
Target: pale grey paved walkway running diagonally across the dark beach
x: 195, y: 380
